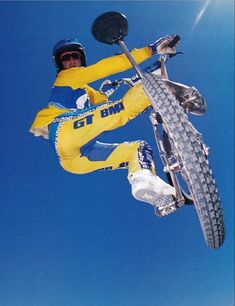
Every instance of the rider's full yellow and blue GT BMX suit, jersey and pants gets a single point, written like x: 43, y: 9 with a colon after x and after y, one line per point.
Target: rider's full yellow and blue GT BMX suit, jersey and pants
x: 77, y: 115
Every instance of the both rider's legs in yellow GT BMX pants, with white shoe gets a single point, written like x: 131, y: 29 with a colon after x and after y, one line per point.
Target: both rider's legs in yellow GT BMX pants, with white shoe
x: 73, y: 135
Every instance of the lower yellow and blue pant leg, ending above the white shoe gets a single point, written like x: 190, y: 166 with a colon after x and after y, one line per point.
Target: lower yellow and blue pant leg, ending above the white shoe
x: 94, y: 156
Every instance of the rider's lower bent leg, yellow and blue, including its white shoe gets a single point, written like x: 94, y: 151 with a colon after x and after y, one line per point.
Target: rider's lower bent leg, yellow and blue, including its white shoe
x: 134, y: 156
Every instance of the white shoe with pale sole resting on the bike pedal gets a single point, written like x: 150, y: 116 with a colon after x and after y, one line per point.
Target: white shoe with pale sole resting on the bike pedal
x: 150, y: 188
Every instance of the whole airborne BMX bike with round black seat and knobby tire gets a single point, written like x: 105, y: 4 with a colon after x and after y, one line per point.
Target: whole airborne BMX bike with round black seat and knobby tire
x: 181, y: 147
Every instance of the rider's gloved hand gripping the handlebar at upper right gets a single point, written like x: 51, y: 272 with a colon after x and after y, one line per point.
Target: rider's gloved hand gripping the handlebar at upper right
x: 161, y: 46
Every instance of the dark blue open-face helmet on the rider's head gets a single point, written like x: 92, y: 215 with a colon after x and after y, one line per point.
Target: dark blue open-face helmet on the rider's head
x: 68, y: 45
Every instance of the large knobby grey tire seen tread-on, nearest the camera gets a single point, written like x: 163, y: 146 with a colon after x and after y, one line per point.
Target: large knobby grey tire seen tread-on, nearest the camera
x: 188, y: 147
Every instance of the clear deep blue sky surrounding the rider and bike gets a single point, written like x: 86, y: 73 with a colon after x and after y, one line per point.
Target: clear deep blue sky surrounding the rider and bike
x: 69, y: 240
